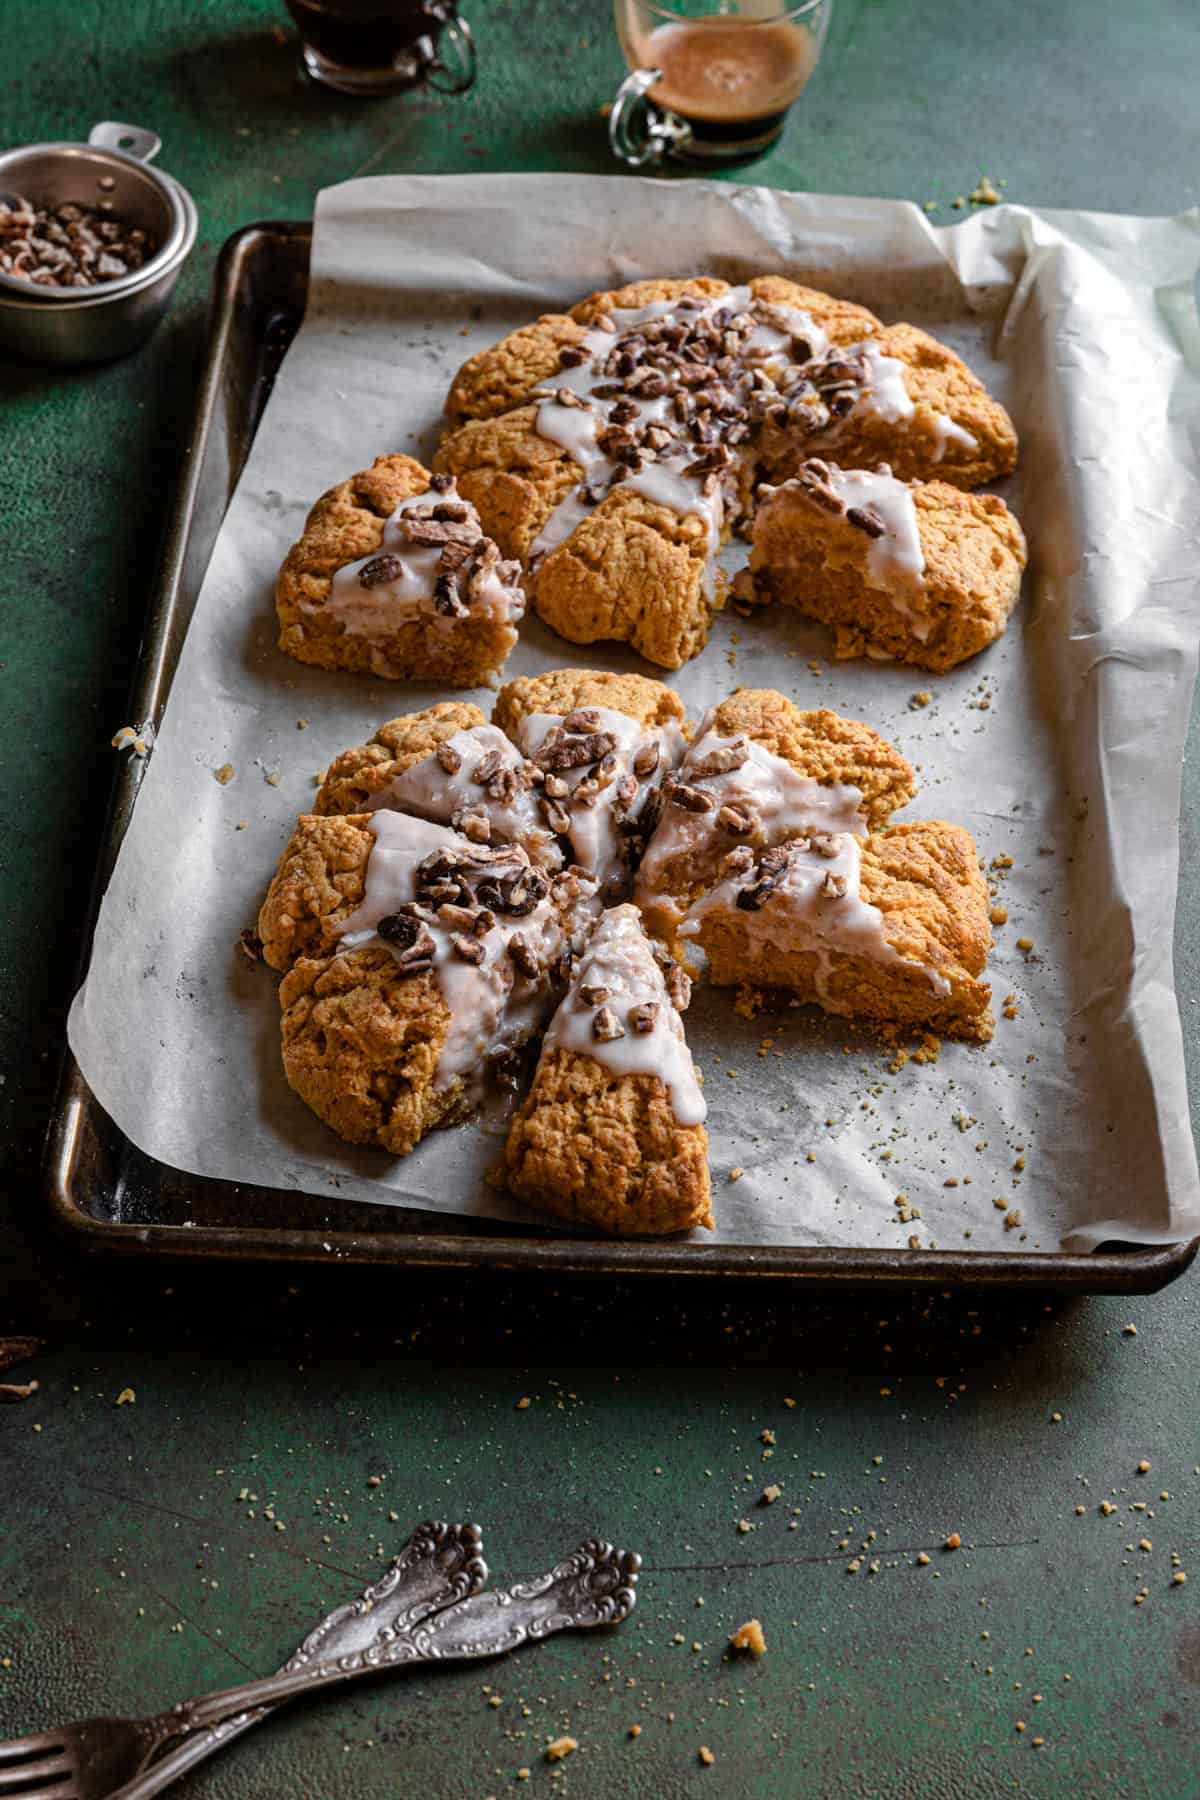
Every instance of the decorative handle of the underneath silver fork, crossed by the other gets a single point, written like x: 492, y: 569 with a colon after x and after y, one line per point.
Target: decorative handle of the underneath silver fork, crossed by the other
x: 440, y: 1565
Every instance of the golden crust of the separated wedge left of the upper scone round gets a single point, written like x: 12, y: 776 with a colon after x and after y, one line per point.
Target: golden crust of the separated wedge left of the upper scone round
x: 346, y: 525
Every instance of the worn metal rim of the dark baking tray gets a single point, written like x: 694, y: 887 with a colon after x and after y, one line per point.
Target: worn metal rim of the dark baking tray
x: 1140, y: 1270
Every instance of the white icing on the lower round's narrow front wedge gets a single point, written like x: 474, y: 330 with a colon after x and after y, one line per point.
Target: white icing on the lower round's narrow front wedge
x: 620, y: 964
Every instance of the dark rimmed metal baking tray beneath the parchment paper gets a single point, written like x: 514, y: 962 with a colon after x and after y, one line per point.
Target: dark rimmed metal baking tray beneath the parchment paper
x: 112, y: 1198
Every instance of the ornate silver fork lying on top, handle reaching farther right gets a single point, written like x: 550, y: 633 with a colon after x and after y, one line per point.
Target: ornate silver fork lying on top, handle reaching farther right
x: 593, y: 1587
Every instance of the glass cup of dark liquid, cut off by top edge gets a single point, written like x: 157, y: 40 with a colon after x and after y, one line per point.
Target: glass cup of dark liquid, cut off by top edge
x: 386, y: 46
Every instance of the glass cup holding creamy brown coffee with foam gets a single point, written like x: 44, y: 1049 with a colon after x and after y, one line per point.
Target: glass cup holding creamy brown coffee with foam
x: 712, y: 80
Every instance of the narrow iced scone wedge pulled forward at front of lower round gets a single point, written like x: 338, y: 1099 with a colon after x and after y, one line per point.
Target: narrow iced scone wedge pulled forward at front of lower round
x: 613, y: 1131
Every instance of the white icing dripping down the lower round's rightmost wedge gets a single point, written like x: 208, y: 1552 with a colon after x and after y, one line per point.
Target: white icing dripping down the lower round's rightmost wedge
x: 803, y: 915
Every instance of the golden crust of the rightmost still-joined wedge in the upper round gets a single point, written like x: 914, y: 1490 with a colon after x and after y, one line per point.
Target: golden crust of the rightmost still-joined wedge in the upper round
x: 938, y: 382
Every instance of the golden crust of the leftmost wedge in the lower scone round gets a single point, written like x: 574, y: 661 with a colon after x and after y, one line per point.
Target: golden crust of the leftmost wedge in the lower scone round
x: 319, y: 883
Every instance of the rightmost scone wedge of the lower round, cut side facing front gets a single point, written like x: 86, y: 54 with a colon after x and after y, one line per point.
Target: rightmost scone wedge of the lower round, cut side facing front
x: 891, y: 928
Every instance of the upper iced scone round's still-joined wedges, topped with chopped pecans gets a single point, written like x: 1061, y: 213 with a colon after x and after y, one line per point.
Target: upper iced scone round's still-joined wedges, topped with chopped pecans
x: 616, y: 474
